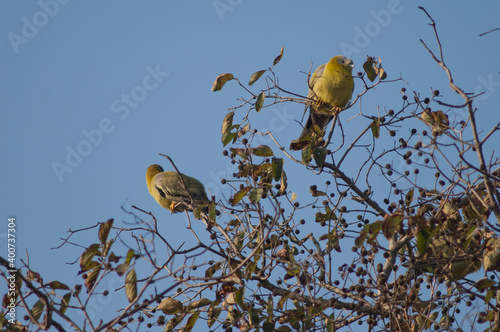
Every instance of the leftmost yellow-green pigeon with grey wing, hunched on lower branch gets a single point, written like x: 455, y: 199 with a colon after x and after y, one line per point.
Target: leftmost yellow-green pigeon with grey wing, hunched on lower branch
x: 169, y: 191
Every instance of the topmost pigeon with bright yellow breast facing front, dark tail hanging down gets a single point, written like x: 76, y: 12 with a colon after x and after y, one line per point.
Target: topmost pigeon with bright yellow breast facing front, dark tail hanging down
x: 332, y: 86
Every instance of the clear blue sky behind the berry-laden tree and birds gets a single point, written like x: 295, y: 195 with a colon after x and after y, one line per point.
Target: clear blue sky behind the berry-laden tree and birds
x: 117, y: 82
